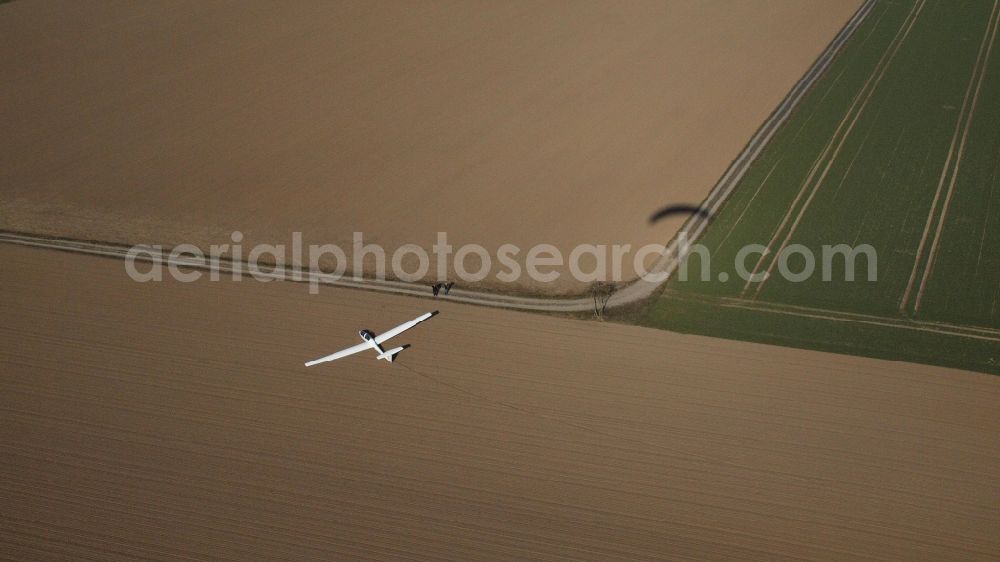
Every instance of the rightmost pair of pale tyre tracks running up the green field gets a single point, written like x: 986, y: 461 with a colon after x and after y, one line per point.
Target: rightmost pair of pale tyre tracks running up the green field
x: 982, y: 65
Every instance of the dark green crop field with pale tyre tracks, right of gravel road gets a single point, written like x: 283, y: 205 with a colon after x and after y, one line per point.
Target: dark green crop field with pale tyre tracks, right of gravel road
x: 896, y: 147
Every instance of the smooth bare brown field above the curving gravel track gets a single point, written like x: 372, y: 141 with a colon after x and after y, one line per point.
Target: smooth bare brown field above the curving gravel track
x: 513, y: 122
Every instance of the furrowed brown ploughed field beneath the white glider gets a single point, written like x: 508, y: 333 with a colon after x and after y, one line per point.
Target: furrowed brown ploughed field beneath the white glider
x: 175, y: 421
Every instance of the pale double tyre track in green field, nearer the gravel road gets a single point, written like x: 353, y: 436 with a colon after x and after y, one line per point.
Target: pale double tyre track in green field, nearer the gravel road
x: 832, y: 148
